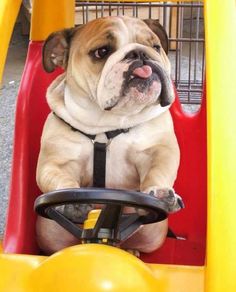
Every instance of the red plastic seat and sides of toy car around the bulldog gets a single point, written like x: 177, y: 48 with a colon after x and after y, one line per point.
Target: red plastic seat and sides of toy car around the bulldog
x: 191, y: 183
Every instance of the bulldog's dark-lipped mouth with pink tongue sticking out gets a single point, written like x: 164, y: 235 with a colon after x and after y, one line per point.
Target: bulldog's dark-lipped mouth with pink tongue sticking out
x: 146, y: 81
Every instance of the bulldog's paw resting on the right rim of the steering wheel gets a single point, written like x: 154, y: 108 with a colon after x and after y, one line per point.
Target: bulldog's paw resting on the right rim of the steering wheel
x: 168, y: 196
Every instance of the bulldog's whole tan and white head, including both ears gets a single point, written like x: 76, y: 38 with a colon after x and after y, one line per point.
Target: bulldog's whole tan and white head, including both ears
x: 118, y: 62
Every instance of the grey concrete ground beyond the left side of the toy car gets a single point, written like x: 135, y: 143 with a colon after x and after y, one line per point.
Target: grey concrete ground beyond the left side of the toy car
x: 8, y: 92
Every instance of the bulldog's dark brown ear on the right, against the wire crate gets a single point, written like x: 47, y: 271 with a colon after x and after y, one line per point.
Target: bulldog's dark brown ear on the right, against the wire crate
x: 159, y: 30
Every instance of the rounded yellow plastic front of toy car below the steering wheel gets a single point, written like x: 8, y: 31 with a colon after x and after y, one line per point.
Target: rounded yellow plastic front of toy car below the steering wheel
x: 93, y: 267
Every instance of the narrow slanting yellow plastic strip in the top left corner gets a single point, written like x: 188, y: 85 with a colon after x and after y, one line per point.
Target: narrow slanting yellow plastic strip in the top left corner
x: 8, y: 13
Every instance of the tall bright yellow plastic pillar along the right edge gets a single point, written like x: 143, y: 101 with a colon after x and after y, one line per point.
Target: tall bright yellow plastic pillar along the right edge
x: 220, y: 24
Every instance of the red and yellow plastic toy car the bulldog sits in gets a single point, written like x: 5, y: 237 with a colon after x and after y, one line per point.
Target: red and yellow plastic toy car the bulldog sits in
x: 206, y: 180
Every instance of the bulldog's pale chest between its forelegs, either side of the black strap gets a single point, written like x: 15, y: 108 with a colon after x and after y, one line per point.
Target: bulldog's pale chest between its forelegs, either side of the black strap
x: 120, y: 161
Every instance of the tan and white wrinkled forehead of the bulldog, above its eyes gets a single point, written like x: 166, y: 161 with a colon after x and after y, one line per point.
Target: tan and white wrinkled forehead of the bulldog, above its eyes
x: 118, y: 30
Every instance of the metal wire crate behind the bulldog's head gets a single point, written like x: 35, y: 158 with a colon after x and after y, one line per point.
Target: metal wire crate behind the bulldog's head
x: 184, y: 25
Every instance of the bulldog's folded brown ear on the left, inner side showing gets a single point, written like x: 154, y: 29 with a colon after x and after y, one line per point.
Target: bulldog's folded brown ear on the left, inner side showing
x: 56, y: 49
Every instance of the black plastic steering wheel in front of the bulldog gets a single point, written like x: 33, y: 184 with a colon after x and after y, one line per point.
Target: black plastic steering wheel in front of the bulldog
x: 113, y: 224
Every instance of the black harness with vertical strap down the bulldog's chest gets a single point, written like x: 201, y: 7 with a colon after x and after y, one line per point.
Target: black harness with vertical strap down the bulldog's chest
x: 99, y: 153
